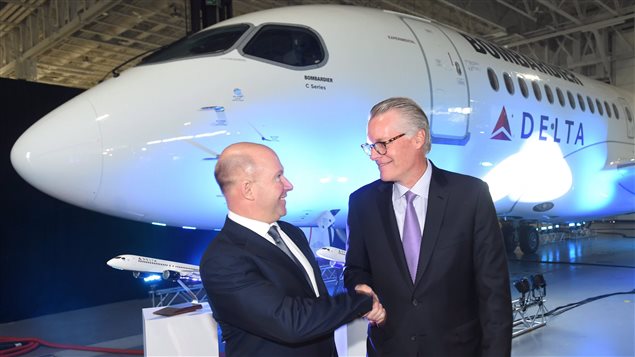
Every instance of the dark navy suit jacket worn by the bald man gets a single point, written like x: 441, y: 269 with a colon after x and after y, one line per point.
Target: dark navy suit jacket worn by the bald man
x: 262, y: 300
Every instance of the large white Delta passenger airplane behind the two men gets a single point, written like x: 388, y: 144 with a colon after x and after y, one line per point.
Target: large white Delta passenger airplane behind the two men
x: 553, y: 145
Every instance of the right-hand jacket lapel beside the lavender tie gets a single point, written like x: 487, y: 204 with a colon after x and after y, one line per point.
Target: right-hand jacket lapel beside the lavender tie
x: 437, y: 202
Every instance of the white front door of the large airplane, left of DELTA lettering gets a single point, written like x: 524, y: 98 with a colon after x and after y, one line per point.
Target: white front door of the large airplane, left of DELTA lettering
x: 450, y: 95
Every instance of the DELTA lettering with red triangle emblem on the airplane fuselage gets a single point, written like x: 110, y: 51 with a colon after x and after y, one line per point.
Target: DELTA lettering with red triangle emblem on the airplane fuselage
x: 560, y: 131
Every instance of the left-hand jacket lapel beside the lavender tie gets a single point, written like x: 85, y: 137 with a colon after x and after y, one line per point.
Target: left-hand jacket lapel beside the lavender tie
x: 391, y: 229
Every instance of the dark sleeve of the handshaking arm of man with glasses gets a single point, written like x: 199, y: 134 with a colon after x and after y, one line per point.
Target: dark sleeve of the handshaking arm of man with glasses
x: 357, y: 269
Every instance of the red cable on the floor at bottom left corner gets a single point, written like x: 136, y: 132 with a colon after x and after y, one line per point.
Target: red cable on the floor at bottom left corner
x: 16, y: 346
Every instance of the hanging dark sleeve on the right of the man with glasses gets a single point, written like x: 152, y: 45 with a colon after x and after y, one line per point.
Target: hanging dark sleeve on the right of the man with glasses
x: 492, y: 279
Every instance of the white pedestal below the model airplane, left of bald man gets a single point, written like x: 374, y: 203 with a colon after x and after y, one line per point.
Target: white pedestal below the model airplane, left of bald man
x: 190, y: 334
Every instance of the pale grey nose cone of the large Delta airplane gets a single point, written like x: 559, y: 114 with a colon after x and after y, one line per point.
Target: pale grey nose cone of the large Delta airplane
x: 61, y: 153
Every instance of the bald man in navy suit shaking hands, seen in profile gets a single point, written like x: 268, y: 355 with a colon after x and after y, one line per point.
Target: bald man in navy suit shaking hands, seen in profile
x: 260, y: 274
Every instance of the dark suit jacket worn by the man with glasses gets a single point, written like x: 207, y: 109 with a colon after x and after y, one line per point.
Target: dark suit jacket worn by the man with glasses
x: 460, y: 303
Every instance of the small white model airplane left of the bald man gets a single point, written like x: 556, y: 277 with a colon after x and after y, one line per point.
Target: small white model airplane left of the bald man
x: 169, y: 270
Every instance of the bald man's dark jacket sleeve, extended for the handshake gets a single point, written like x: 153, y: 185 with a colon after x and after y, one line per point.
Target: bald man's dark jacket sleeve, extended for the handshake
x: 243, y: 297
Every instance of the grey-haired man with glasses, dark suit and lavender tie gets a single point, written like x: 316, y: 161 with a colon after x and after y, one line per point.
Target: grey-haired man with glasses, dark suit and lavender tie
x: 428, y: 243
